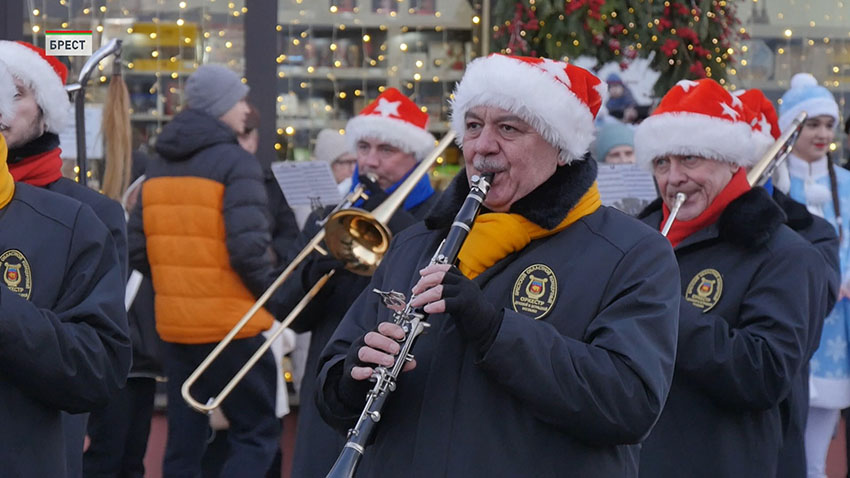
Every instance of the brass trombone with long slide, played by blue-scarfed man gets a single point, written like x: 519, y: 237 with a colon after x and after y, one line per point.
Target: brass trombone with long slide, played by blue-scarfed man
x: 356, y: 237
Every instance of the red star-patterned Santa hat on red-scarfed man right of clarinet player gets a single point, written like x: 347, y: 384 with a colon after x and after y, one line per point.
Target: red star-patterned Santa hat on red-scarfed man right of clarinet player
x: 698, y: 118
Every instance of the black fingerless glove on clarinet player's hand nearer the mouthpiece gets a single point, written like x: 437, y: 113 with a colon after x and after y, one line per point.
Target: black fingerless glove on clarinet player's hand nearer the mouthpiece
x: 477, y: 319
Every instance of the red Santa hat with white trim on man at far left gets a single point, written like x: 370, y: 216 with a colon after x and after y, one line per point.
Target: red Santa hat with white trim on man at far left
x: 45, y: 75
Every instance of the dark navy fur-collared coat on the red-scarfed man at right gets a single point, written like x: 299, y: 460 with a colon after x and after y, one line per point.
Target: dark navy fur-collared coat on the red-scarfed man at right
x: 737, y: 360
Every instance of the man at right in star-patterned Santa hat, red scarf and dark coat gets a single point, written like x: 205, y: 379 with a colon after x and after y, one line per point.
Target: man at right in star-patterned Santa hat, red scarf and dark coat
x: 749, y: 284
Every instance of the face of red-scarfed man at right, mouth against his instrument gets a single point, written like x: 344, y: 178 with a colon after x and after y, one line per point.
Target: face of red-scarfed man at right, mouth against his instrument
x: 701, y: 179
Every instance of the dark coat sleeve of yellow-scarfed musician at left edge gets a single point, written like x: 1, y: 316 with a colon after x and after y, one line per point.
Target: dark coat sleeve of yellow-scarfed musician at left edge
x: 76, y: 355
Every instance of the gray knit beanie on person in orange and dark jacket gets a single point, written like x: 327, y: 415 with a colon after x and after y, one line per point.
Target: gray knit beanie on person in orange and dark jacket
x: 214, y: 89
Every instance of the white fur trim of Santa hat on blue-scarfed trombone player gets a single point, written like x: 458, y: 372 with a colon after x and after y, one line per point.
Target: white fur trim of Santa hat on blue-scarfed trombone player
x: 399, y: 133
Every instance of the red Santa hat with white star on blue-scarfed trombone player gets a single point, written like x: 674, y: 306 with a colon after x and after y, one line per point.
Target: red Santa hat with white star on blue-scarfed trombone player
x: 395, y: 119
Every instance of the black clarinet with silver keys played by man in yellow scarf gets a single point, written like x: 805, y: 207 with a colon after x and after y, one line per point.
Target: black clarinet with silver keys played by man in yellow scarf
x: 413, y: 321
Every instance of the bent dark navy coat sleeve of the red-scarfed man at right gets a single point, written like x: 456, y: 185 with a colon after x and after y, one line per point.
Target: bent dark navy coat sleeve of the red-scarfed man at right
x: 749, y: 365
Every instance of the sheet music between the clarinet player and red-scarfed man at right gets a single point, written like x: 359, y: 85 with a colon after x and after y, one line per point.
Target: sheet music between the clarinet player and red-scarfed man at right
x: 627, y: 187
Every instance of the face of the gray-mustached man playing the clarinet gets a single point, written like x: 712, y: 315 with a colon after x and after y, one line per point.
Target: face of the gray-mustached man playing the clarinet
x: 498, y: 141
